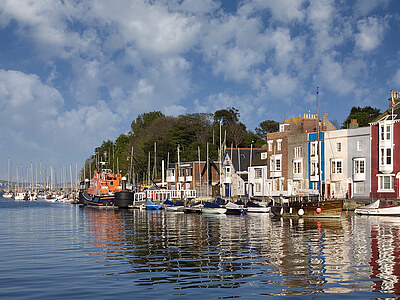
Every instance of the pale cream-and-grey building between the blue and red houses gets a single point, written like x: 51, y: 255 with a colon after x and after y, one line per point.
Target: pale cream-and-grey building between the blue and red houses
x: 347, y: 162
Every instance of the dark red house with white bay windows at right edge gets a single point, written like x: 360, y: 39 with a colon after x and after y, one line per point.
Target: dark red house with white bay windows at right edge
x: 385, y: 152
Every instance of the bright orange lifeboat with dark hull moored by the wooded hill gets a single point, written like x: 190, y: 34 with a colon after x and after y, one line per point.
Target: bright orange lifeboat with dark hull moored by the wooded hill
x: 103, y: 186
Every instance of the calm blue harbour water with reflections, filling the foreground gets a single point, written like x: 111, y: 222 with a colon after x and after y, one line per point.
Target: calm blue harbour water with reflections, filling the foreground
x: 63, y: 251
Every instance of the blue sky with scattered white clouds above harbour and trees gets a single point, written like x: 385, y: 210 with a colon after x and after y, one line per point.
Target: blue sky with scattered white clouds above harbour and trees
x: 76, y: 73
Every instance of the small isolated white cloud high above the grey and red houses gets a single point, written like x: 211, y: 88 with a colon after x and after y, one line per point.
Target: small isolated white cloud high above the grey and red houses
x: 371, y: 33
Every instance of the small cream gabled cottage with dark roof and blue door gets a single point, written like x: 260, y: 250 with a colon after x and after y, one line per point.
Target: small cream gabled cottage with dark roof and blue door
x: 235, y: 170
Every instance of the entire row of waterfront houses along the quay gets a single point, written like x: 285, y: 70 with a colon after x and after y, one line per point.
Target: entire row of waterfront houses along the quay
x: 308, y: 155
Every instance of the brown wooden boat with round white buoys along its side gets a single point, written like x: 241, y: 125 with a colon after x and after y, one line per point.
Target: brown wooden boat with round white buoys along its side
x: 311, y: 207
